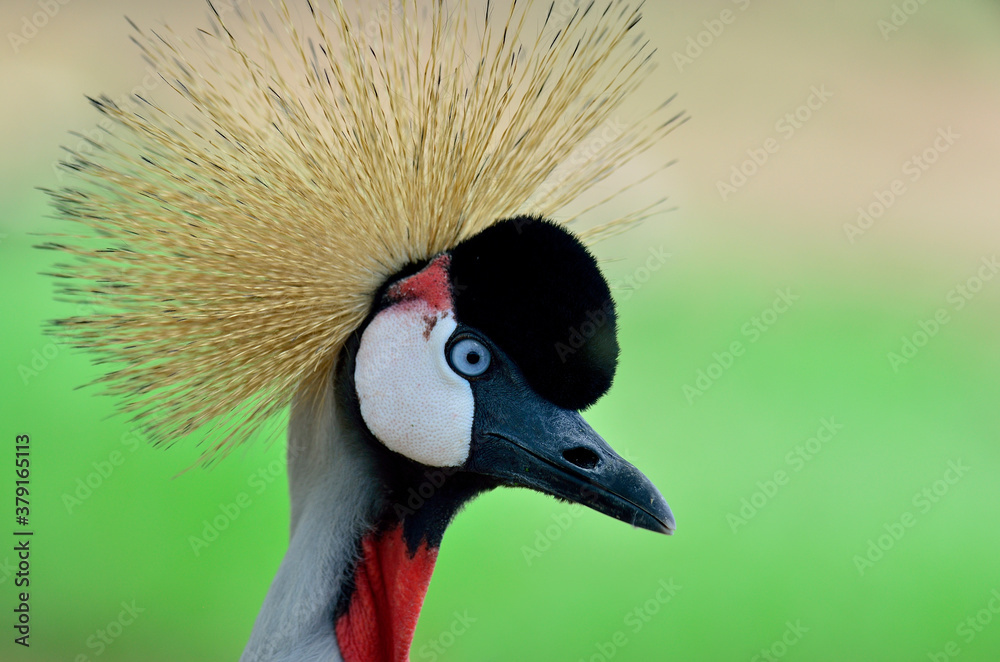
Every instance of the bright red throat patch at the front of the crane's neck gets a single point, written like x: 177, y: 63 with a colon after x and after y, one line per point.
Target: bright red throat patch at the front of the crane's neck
x: 389, y: 590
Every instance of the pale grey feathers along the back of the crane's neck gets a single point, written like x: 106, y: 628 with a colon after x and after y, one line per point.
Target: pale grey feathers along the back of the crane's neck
x: 334, y: 491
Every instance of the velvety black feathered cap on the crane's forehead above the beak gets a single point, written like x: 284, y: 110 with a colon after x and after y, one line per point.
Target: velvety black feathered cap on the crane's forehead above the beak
x: 535, y: 290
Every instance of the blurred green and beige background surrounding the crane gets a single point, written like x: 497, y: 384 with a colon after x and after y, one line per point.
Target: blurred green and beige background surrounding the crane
x: 831, y: 552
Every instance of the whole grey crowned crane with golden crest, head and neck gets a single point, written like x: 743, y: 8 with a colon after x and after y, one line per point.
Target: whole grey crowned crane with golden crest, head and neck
x: 355, y: 222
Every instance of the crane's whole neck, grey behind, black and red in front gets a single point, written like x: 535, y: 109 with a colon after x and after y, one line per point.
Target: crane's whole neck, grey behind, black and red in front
x: 366, y: 525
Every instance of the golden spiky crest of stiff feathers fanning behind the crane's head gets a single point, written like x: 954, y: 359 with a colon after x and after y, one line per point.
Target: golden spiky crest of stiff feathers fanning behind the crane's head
x: 232, y: 250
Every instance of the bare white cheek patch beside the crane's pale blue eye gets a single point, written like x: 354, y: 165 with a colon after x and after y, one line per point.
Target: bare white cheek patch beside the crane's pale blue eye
x: 411, y: 399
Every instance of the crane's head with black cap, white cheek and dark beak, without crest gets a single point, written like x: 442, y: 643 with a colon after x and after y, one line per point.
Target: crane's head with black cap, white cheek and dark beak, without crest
x: 482, y: 358
